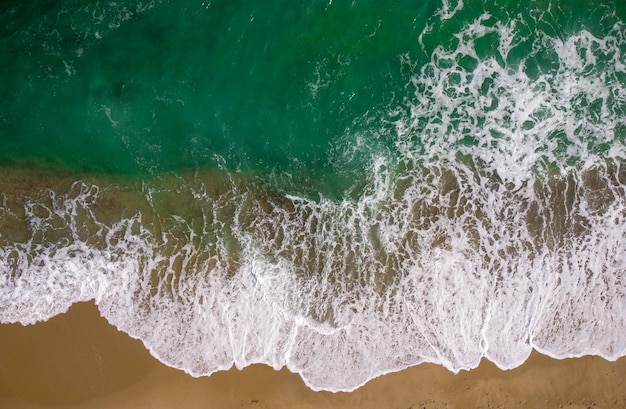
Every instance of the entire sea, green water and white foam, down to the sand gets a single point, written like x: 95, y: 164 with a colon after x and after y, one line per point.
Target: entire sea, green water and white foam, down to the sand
x: 344, y: 188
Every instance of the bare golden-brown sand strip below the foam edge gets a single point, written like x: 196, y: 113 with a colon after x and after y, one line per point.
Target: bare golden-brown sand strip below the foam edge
x: 78, y: 360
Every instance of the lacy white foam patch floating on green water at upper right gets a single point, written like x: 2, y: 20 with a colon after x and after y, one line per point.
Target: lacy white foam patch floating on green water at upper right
x: 510, y: 117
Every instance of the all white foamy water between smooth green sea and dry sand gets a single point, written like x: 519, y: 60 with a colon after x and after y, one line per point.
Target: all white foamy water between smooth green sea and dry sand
x: 456, y: 250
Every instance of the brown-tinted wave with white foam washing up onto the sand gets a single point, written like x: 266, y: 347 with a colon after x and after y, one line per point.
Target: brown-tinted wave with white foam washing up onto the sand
x: 436, y: 265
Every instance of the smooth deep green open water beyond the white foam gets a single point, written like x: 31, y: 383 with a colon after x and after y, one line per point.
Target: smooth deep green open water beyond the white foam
x: 282, y: 88
